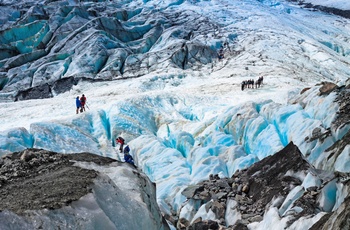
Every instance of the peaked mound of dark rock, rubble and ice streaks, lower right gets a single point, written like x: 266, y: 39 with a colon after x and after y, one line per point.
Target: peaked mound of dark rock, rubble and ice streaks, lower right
x: 246, y: 197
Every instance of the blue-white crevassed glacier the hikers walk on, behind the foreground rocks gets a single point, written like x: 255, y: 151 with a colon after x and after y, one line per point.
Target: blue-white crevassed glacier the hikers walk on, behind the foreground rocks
x: 150, y: 73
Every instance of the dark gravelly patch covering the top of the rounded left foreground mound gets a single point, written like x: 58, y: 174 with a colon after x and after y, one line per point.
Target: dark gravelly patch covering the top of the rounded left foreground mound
x: 30, y: 188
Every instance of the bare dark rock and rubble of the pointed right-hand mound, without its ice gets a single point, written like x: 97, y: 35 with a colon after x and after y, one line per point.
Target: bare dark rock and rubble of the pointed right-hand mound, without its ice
x: 263, y: 182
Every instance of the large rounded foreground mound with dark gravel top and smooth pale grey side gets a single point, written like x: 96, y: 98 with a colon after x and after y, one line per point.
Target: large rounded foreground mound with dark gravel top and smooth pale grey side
x: 40, y: 189
